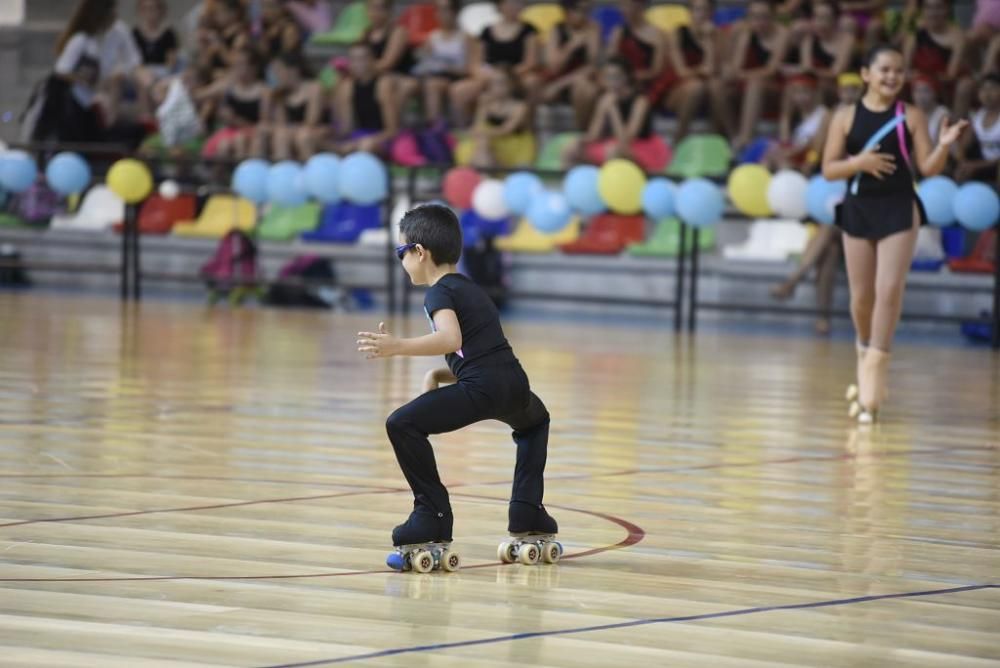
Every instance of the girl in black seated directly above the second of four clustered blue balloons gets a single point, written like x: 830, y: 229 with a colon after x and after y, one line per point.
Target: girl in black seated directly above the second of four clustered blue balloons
x: 297, y: 110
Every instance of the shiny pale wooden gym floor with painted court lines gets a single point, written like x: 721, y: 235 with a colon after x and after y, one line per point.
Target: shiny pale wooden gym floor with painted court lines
x: 184, y: 487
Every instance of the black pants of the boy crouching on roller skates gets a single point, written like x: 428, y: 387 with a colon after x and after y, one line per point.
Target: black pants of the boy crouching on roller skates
x: 489, y: 393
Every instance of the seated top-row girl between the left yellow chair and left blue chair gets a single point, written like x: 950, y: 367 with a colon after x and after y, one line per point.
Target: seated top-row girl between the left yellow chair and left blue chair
x: 571, y: 54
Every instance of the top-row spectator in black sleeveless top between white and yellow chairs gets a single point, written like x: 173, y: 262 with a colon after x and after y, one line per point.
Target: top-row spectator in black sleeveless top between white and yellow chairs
x: 508, y: 43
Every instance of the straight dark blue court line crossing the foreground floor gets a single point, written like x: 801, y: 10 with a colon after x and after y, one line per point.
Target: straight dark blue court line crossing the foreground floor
x: 638, y: 622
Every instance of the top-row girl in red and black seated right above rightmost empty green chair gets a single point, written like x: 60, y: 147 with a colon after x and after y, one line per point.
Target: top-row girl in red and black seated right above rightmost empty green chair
x: 692, y: 55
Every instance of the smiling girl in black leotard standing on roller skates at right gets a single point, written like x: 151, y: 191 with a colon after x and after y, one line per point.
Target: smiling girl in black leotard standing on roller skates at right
x: 881, y: 212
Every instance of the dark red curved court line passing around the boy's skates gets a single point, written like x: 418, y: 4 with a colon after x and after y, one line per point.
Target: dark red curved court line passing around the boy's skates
x: 634, y: 535
